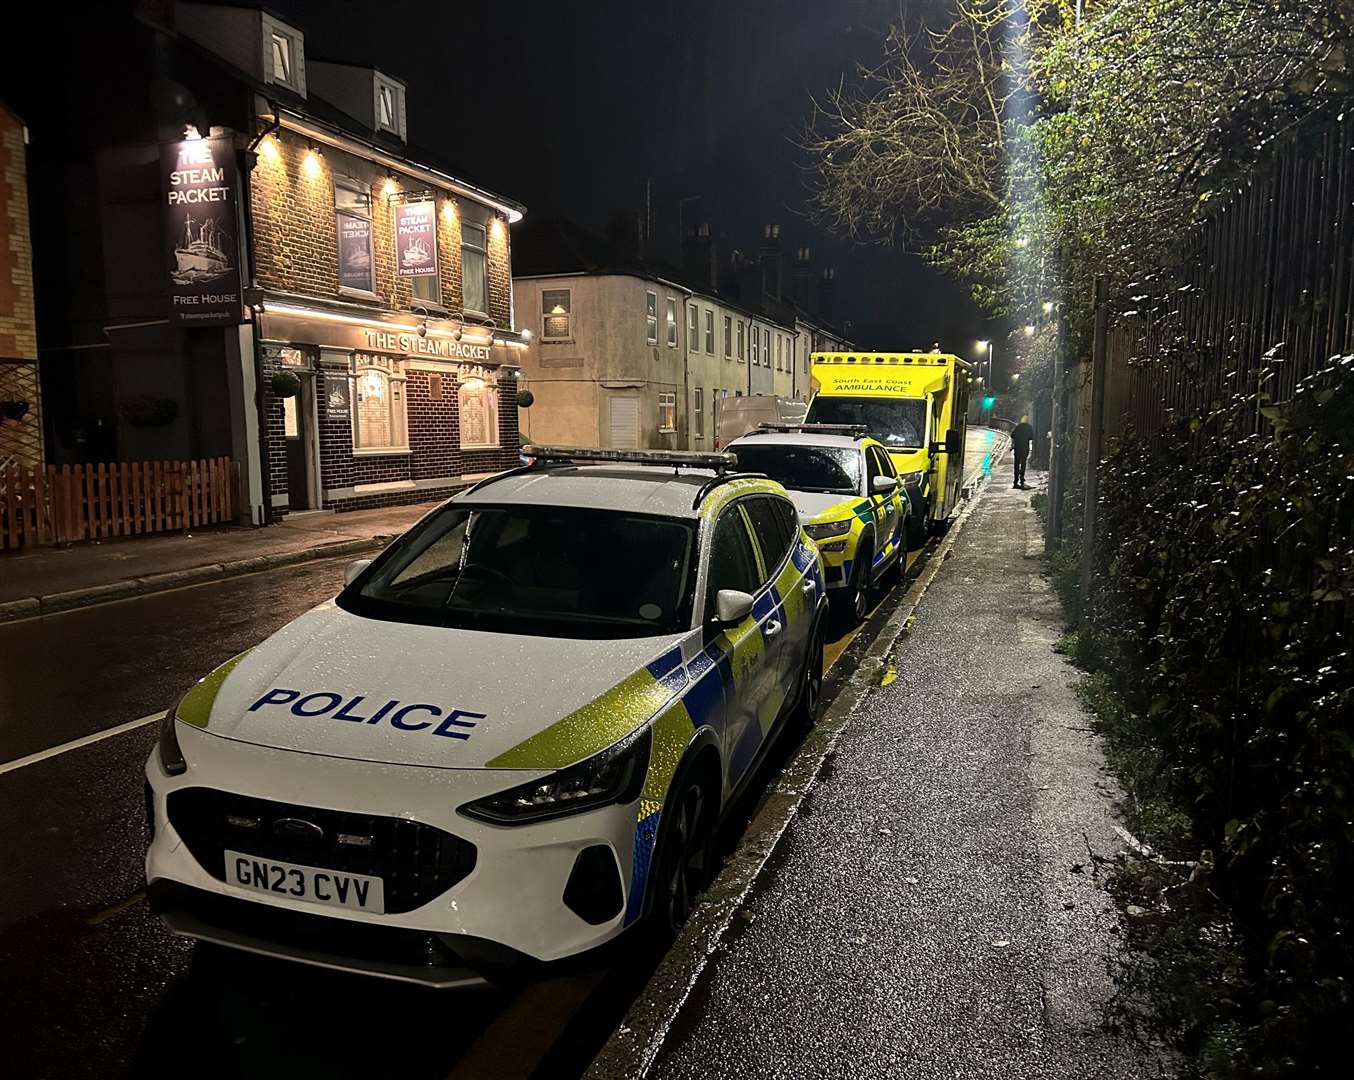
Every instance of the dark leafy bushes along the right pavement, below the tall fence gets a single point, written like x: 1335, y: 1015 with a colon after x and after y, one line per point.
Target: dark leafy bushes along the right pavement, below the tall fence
x: 1219, y: 626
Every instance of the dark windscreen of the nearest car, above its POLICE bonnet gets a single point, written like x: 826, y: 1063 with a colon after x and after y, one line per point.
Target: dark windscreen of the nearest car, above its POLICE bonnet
x: 537, y: 570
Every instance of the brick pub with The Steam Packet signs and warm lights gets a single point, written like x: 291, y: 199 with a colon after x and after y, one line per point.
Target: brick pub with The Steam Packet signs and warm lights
x: 262, y: 269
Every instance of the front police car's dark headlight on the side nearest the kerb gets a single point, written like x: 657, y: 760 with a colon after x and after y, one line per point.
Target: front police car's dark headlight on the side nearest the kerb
x: 614, y: 776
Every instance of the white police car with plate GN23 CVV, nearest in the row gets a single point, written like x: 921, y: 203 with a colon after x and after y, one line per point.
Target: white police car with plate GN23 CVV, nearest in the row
x: 510, y: 737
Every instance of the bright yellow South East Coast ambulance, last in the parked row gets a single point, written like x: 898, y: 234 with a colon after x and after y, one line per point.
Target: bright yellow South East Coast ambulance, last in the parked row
x: 915, y: 404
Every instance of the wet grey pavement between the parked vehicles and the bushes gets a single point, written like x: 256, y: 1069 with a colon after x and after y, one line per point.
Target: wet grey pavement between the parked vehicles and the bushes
x: 938, y: 907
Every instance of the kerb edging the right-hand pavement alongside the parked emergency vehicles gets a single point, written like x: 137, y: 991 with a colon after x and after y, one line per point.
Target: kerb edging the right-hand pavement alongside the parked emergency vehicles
x: 637, y: 1043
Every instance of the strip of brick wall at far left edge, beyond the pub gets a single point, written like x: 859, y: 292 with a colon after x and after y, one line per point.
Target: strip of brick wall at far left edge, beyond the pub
x: 20, y: 439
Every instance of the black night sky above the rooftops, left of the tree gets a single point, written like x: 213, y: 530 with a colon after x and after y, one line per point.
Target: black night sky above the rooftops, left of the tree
x: 572, y: 106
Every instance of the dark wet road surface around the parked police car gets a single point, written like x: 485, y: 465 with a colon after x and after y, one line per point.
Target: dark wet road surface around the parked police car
x: 94, y: 985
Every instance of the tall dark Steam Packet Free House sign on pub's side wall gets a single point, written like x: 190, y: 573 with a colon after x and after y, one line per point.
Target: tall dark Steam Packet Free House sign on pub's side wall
x: 204, y: 254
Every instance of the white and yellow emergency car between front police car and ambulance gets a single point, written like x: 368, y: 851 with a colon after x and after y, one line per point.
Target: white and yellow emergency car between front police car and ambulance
x: 850, y: 500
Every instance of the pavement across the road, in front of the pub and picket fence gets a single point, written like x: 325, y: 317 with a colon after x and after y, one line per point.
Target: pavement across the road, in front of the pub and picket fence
x: 41, y: 581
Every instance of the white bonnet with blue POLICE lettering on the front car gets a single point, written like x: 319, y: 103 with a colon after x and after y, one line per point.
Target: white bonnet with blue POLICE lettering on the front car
x: 355, y: 688
